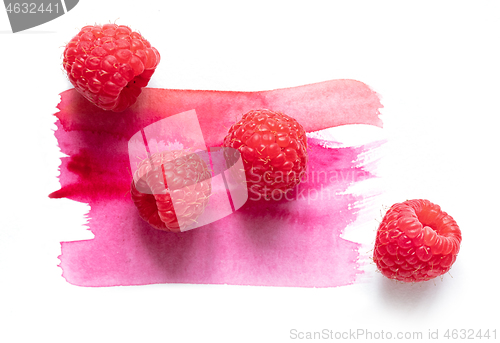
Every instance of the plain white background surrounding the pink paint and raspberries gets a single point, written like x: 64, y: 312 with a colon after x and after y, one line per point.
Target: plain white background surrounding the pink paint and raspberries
x: 435, y: 65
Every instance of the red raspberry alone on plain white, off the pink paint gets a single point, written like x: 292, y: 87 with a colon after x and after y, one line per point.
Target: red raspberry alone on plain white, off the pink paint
x: 416, y: 241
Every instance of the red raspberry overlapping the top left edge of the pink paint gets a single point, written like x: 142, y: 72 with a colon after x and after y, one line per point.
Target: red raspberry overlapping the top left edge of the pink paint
x: 109, y: 65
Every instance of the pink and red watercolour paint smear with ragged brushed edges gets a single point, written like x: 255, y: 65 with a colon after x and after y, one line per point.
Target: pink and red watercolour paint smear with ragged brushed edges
x: 289, y: 242
